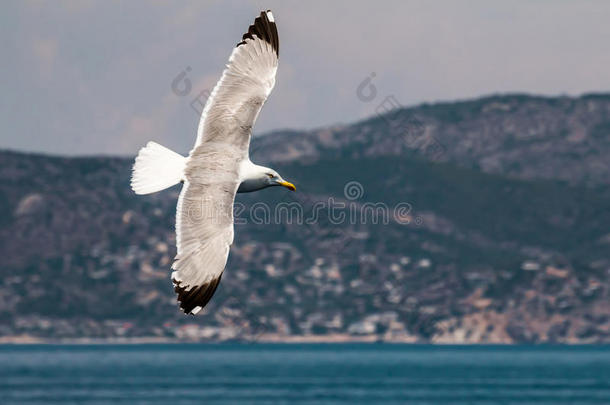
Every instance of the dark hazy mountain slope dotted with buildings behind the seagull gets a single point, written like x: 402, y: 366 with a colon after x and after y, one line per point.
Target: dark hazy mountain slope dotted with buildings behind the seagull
x: 474, y: 221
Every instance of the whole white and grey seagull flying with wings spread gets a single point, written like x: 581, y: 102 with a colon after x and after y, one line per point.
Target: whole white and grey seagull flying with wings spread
x: 217, y: 167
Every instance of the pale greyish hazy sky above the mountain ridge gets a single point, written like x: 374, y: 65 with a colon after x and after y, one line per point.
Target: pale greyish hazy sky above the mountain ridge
x: 95, y: 77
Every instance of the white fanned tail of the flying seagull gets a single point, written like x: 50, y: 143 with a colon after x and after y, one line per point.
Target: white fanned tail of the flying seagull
x: 156, y: 168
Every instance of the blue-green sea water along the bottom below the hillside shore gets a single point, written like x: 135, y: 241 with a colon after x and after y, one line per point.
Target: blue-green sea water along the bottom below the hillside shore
x: 295, y: 374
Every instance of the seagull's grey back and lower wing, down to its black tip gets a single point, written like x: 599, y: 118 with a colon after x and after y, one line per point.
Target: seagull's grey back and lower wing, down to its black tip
x: 204, y: 224
